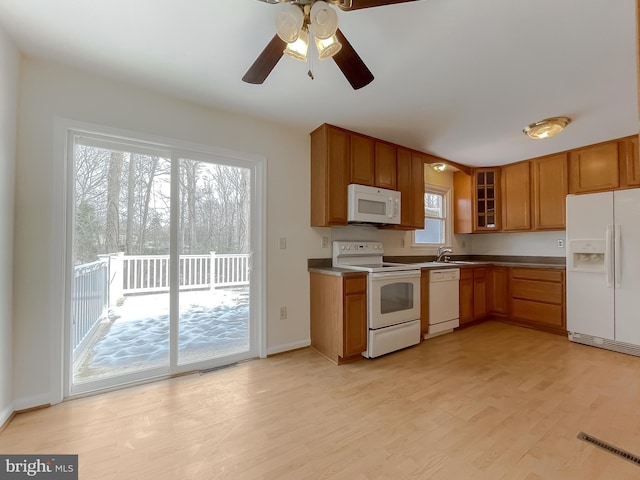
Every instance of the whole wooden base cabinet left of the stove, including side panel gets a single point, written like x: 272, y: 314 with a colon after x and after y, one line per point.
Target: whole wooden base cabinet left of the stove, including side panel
x: 338, y: 311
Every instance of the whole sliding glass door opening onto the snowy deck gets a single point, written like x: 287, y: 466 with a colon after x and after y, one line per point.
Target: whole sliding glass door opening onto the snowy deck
x: 160, y: 277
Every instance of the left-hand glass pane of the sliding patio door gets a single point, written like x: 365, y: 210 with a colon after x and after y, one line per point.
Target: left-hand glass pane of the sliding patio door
x: 120, y: 303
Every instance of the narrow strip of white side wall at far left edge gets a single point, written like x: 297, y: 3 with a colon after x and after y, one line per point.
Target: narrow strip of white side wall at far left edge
x: 9, y: 71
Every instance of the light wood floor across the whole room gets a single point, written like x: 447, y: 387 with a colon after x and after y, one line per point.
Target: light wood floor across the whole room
x: 489, y: 402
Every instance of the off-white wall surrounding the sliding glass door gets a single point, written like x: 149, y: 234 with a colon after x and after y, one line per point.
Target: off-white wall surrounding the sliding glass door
x: 49, y: 91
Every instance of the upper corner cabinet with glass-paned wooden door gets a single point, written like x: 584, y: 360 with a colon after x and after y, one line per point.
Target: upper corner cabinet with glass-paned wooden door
x: 486, y: 199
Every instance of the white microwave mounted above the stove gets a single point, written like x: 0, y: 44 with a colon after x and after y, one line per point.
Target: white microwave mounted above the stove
x: 373, y: 205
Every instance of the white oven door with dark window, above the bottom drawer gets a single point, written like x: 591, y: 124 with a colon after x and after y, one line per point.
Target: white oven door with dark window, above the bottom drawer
x: 394, y: 297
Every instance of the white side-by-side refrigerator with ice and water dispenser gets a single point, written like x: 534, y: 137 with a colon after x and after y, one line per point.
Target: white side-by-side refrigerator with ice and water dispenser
x: 603, y: 270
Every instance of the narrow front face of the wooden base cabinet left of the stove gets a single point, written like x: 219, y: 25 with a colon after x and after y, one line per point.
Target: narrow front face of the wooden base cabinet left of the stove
x: 355, y: 316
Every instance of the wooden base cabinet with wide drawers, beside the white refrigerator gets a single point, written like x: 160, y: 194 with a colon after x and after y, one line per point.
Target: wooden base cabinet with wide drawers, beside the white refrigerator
x: 538, y: 298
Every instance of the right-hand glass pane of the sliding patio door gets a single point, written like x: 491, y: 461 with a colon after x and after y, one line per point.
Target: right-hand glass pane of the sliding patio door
x: 213, y: 238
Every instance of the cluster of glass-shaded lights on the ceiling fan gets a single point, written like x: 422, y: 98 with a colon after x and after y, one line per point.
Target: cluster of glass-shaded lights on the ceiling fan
x: 294, y: 21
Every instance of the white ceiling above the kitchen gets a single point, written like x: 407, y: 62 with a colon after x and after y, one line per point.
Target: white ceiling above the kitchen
x: 455, y: 78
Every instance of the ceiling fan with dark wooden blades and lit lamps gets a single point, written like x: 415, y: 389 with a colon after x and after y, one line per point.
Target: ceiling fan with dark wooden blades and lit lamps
x: 294, y: 24
